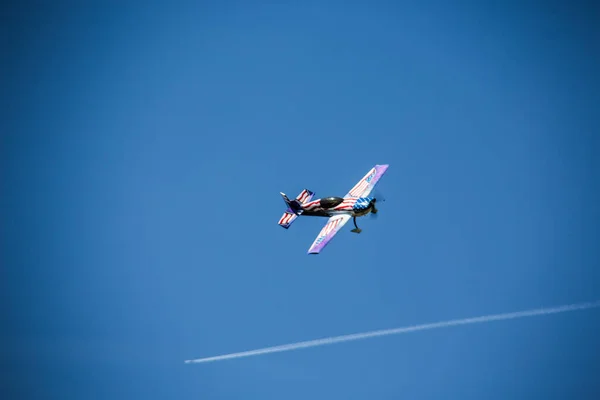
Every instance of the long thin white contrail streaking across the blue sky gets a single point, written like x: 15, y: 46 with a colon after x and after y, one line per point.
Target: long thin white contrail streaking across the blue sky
x: 397, y: 331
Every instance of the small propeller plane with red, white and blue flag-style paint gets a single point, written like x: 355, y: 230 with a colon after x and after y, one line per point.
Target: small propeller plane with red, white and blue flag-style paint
x: 355, y: 203
